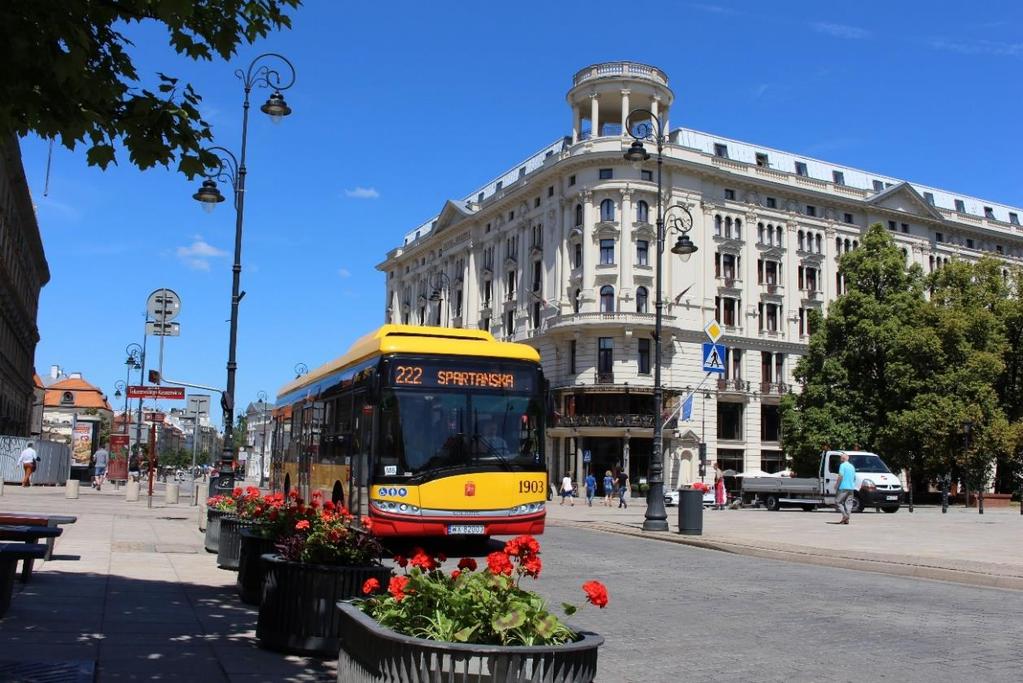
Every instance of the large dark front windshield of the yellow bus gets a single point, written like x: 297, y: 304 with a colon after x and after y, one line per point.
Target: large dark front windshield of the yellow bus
x: 425, y: 431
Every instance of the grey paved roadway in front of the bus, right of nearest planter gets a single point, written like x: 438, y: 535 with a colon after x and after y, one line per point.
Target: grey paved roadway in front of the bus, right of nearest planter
x: 679, y: 613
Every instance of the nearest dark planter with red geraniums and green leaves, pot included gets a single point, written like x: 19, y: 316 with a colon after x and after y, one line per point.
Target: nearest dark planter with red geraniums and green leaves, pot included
x: 466, y: 624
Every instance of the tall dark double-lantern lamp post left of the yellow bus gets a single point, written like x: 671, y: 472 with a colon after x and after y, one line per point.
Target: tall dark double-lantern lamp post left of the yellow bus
x: 233, y: 170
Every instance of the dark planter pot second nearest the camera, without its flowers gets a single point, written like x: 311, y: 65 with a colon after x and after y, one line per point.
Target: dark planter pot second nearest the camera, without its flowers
x: 298, y: 614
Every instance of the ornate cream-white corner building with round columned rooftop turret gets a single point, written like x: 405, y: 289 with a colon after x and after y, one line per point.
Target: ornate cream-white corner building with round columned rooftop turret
x: 560, y: 253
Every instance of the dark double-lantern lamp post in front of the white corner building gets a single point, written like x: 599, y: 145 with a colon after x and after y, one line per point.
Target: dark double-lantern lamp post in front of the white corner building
x: 656, y: 519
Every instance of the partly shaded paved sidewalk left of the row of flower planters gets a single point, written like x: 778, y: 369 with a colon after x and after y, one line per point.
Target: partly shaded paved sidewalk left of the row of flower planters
x: 132, y: 589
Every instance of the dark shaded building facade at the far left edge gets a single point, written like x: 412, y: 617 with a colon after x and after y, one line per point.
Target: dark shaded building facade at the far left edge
x: 23, y: 274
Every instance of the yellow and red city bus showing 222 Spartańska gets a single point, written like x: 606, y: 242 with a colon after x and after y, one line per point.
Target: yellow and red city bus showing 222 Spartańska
x: 428, y: 431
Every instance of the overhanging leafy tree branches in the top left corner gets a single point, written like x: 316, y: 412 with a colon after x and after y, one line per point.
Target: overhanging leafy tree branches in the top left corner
x: 74, y: 77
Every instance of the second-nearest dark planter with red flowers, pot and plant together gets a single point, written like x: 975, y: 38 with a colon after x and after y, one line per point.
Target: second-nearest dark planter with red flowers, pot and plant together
x: 325, y: 557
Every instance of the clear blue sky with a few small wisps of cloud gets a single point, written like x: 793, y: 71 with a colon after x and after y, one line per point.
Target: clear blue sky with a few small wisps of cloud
x: 402, y: 106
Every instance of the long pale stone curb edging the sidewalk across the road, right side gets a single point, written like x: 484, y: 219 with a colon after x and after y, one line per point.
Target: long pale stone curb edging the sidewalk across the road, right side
x: 915, y: 570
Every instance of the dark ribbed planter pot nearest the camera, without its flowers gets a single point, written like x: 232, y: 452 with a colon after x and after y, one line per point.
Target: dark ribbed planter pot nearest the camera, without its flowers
x: 371, y: 653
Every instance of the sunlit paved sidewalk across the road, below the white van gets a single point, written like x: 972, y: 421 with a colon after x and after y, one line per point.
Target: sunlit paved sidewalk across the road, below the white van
x: 960, y: 547
